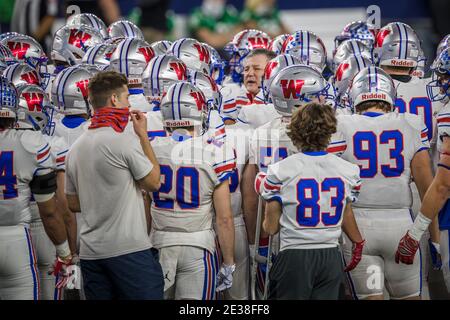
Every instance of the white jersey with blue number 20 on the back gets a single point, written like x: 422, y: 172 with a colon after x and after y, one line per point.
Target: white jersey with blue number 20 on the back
x: 182, y: 209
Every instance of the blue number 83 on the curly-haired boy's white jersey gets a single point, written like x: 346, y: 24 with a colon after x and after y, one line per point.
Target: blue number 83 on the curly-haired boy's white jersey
x: 309, y: 213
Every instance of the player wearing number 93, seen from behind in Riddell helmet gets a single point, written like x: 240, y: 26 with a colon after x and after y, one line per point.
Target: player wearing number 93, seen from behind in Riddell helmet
x: 375, y: 139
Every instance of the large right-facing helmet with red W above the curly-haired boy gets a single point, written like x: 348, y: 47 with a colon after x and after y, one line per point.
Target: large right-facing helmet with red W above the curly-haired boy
x: 297, y: 85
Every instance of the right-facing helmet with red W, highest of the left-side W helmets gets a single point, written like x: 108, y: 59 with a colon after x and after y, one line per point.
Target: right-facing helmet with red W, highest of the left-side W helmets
x: 70, y: 43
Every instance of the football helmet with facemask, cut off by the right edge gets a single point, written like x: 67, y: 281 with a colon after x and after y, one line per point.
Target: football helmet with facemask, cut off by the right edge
x: 439, y: 87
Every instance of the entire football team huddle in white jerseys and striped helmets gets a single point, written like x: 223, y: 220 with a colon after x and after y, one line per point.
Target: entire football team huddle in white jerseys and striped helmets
x: 283, y: 172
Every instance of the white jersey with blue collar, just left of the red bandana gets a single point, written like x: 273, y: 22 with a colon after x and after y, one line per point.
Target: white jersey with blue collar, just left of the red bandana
x: 70, y: 128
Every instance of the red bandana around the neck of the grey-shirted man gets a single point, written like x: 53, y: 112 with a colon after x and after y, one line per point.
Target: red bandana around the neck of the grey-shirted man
x: 116, y: 118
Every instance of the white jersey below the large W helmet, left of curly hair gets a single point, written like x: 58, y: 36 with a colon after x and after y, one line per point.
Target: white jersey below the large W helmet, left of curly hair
x: 270, y: 144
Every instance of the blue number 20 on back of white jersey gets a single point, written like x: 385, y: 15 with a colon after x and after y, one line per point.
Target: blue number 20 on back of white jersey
x: 186, y: 198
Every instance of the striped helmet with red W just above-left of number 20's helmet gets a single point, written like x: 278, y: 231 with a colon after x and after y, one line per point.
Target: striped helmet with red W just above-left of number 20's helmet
x: 161, y: 73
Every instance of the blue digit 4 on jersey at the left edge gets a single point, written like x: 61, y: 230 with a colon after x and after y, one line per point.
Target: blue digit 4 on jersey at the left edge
x: 7, y: 177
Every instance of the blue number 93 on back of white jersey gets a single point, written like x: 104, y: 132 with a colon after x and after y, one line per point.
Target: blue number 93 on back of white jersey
x: 365, y: 147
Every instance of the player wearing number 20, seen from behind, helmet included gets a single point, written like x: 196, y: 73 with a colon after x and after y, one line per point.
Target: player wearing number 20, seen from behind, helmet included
x: 195, y: 174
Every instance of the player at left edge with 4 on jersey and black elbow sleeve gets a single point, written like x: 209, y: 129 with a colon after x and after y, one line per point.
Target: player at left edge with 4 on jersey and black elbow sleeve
x: 27, y: 169
